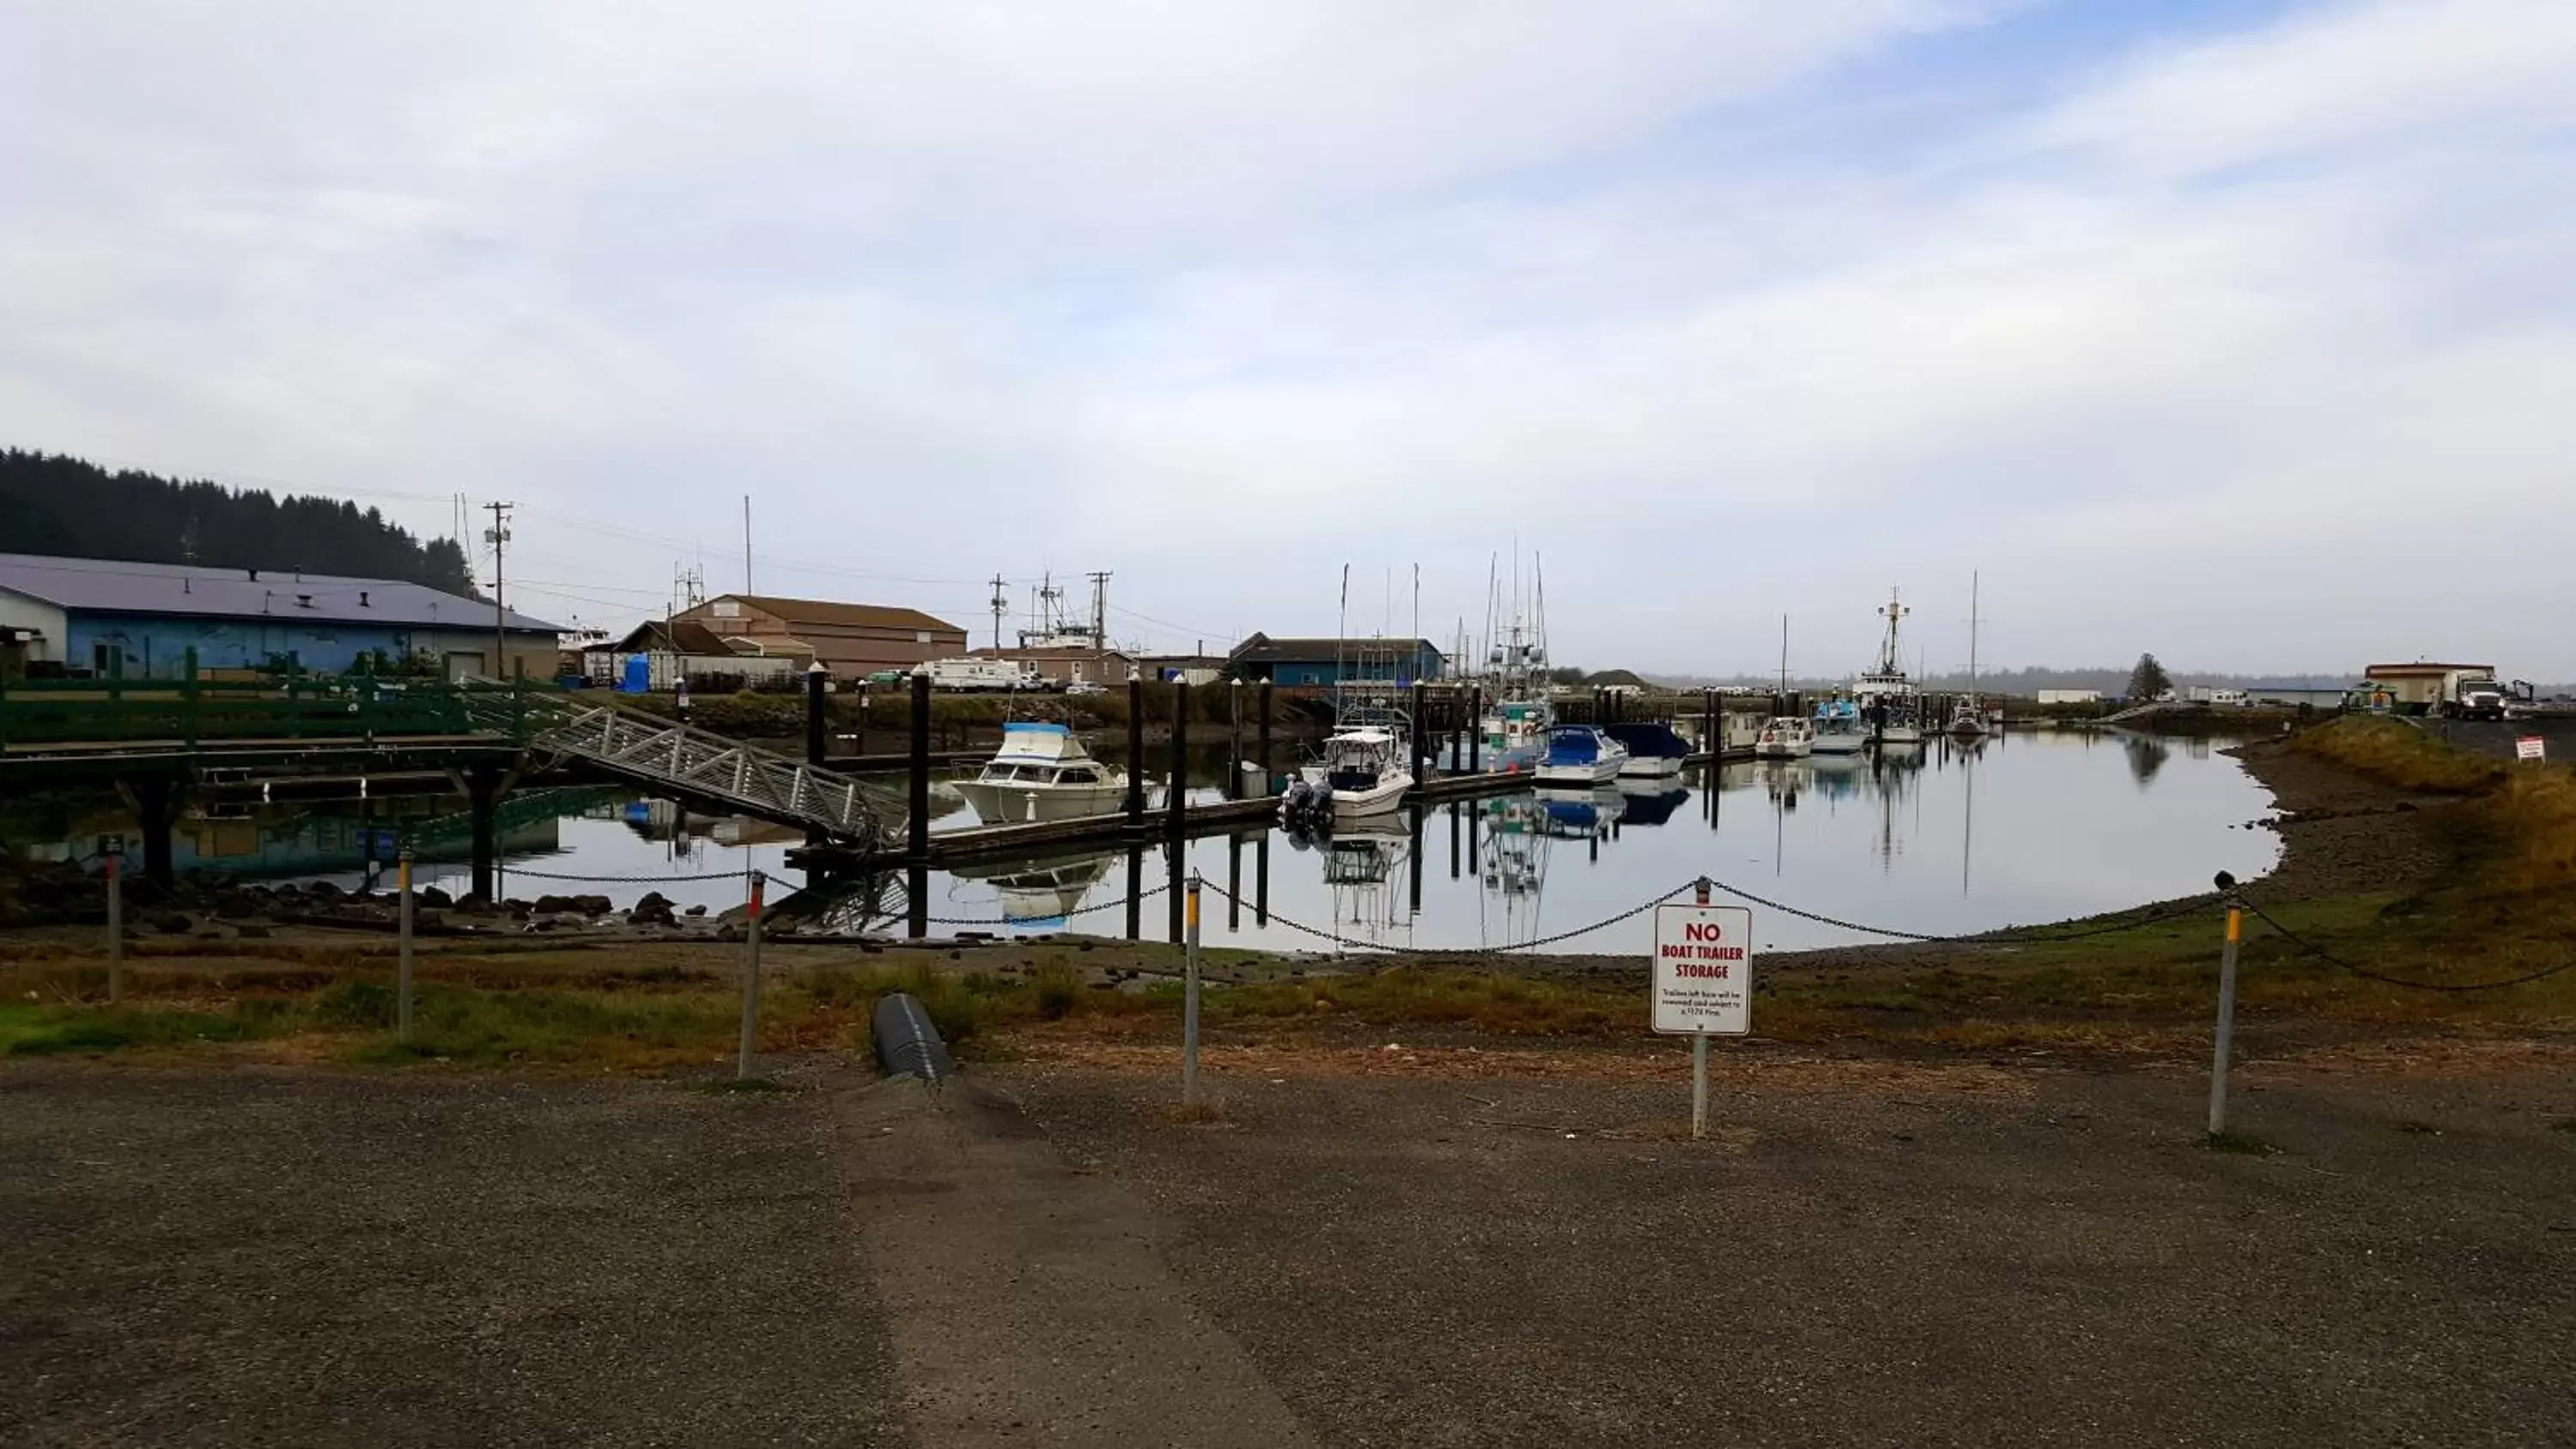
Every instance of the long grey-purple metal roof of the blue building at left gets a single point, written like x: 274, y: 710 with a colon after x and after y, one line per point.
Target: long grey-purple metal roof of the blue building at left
x: 109, y: 586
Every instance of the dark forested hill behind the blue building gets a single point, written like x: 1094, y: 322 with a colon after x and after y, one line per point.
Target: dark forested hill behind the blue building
x: 81, y: 511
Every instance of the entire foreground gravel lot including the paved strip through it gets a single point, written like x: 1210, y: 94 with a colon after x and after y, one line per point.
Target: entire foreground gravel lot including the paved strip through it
x: 1864, y: 1255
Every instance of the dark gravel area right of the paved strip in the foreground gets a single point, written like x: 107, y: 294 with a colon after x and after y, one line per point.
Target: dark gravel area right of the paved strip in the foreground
x: 1959, y: 1260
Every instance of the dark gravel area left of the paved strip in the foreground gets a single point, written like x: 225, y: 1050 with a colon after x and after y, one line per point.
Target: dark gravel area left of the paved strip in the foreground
x: 285, y: 1257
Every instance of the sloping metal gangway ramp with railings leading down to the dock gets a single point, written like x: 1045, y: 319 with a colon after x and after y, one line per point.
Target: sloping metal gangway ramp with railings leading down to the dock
x: 694, y: 766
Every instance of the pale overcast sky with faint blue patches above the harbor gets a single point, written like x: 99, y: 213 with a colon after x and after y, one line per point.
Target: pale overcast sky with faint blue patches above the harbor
x: 2232, y: 331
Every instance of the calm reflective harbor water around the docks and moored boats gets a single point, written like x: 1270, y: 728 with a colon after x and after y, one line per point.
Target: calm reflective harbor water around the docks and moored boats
x: 2021, y: 830
